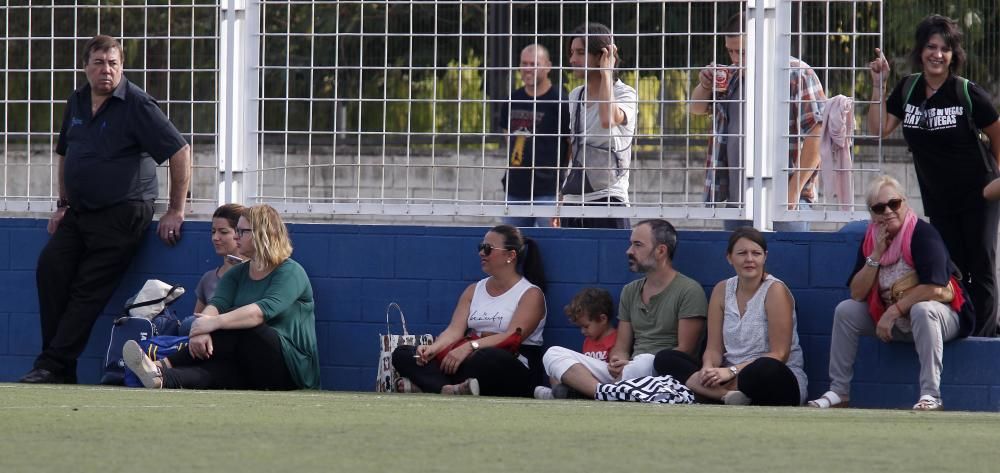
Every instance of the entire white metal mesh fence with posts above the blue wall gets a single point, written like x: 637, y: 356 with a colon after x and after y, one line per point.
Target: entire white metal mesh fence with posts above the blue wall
x: 388, y: 111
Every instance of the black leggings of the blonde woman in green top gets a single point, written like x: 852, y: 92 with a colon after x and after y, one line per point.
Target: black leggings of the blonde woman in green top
x: 241, y: 359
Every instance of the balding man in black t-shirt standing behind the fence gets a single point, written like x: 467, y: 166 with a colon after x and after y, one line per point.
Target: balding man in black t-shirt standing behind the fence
x: 538, y: 123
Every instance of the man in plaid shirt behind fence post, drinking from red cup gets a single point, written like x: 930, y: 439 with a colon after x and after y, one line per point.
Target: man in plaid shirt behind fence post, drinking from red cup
x: 725, y: 175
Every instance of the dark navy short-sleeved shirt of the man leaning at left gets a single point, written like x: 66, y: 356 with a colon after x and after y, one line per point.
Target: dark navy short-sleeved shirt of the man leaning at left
x: 106, y: 161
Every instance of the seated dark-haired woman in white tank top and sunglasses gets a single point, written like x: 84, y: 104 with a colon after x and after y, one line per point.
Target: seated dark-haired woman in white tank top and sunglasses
x: 490, y: 317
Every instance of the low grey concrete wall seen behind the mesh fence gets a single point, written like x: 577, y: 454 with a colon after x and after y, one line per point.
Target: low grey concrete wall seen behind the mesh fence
x: 667, y: 175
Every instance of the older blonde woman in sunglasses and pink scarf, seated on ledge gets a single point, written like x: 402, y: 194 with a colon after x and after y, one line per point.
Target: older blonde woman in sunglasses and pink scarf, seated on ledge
x: 904, y: 289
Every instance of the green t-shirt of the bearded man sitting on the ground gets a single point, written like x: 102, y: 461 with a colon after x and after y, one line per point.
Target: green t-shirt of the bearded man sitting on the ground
x: 654, y: 325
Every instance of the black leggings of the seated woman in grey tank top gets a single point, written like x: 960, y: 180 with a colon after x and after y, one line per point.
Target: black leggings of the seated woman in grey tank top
x: 766, y: 381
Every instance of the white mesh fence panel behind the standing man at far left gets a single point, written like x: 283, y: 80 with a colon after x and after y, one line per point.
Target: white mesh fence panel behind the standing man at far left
x: 171, y: 51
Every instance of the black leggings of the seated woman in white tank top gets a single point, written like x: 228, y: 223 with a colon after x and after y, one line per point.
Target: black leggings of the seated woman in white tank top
x: 498, y: 371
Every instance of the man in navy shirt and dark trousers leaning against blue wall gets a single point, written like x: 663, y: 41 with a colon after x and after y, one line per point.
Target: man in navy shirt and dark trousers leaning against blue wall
x: 112, y: 138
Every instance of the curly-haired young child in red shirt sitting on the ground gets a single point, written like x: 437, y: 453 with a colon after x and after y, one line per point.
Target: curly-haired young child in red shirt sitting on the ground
x: 591, y: 310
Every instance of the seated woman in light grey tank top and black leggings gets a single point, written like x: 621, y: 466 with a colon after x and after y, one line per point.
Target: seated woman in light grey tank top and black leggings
x: 753, y: 354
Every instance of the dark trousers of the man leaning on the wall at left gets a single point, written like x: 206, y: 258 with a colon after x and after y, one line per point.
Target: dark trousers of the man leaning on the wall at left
x: 78, y: 271
